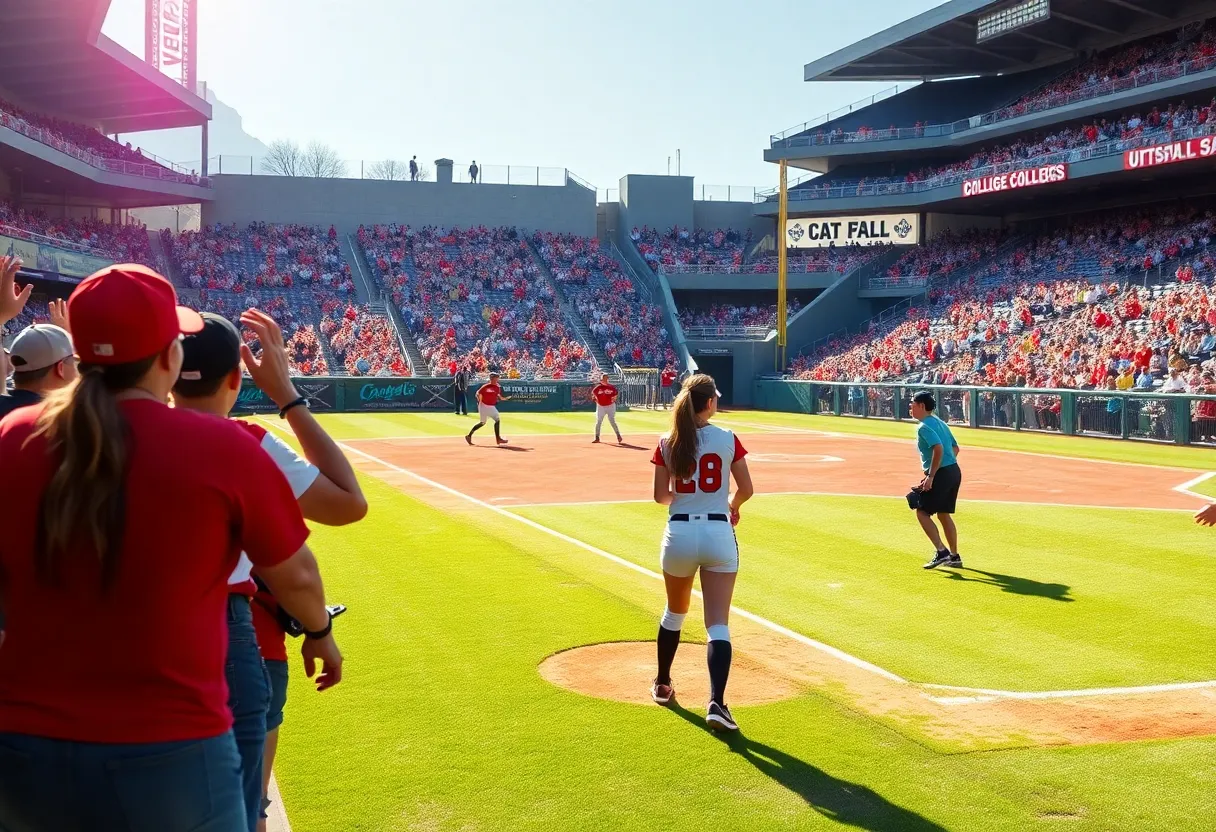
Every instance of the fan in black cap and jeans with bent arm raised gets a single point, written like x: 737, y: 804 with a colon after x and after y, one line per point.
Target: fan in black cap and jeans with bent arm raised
x: 323, y: 482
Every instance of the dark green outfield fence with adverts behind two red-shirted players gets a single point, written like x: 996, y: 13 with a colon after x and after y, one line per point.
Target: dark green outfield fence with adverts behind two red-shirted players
x: 365, y: 395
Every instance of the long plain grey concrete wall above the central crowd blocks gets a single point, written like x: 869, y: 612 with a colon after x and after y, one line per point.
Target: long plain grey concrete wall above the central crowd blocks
x: 348, y: 204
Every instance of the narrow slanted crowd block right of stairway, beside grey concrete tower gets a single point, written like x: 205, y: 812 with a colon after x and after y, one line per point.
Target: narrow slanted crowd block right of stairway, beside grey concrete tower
x: 630, y: 331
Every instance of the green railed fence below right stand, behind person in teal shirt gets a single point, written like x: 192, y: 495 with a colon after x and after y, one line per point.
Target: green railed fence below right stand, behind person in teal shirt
x: 1163, y: 418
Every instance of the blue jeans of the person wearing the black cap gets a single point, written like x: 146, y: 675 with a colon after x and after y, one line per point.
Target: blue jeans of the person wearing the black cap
x: 249, y: 700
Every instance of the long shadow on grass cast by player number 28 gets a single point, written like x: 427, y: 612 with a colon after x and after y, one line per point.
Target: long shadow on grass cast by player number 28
x: 837, y: 800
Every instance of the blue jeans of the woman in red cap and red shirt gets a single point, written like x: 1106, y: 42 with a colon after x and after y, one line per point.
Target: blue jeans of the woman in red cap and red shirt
x: 193, y: 786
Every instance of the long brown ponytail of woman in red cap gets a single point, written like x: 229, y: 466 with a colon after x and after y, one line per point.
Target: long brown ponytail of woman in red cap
x: 85, y: 504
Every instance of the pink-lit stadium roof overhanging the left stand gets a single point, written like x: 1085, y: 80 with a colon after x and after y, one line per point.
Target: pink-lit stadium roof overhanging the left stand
x: 54, y: 58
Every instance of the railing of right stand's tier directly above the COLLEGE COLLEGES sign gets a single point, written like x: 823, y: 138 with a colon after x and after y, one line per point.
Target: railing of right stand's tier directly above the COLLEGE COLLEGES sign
x: 1096, y: 151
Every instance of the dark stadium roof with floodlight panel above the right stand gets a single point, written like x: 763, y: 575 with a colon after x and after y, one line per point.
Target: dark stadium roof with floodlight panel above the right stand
x: 941, y: 43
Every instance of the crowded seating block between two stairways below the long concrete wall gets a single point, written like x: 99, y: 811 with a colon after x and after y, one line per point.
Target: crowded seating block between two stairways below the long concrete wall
x: 474, y: 299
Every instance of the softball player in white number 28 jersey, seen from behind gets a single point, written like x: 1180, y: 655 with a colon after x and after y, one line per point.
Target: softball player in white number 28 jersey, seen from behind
x: 694, y: 466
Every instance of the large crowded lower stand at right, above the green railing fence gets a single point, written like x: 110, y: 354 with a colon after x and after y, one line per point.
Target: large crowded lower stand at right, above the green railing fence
x: 1072, y: 308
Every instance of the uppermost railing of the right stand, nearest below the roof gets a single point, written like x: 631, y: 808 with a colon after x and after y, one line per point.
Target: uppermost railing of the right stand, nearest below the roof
x: 1015, y: 111
